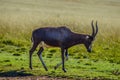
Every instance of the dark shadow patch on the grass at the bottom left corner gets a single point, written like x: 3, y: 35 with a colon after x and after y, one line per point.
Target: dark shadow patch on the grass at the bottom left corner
x: 14, y: 73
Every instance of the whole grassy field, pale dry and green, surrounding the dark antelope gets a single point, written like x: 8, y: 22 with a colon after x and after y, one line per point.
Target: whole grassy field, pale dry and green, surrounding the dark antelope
x: 19, y: 17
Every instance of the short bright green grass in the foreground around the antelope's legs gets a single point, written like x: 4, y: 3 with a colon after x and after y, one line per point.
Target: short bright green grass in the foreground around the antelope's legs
x: 84, y: 67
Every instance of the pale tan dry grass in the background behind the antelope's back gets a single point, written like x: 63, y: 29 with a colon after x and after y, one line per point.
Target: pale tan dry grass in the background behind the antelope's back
x: 18, y: 18
